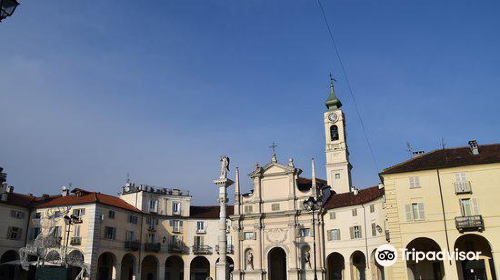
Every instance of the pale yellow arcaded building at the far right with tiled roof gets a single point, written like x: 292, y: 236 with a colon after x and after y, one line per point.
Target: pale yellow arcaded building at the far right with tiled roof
x: 445, y: 200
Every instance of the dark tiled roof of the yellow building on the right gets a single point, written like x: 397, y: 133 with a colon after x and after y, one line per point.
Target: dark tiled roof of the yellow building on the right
x: 446, y: 158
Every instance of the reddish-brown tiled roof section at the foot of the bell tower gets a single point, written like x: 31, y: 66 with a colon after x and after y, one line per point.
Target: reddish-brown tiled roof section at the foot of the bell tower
x: 349, y: 199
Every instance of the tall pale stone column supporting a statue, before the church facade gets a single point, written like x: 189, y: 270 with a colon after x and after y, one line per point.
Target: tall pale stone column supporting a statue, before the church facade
x: 221, y: 267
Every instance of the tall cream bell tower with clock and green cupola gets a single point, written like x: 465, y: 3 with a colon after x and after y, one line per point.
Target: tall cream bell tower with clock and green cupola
x: 338, y: 168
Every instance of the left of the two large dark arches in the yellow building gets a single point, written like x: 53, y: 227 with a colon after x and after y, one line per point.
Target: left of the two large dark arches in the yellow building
x: 424, y: 269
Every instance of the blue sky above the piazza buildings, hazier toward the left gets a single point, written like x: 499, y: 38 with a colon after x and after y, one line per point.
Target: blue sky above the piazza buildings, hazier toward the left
x: 92, y: 90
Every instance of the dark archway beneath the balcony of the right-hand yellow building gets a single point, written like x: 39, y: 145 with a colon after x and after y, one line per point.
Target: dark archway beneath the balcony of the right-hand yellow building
x: 483, y: 268
